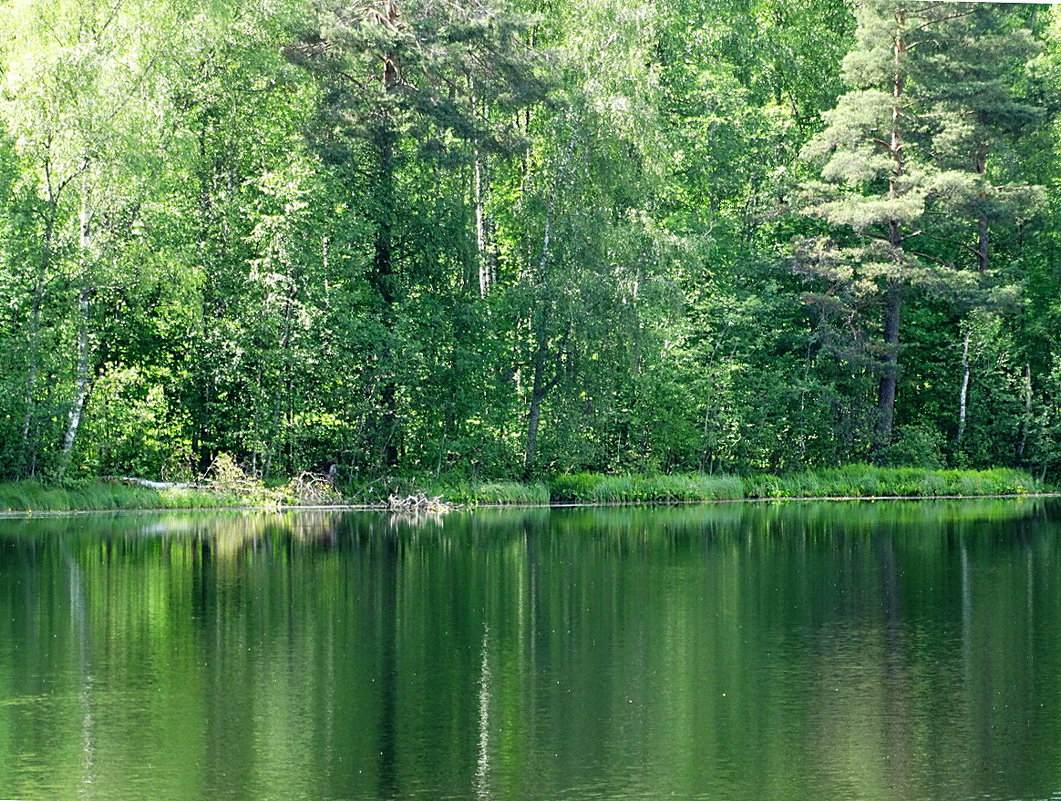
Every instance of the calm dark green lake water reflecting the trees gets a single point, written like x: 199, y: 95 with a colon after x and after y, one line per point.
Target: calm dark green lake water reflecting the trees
x: 889, y: 651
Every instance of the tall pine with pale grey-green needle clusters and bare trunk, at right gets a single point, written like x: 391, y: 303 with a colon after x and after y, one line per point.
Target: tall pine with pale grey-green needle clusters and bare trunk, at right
x: 905, y: 160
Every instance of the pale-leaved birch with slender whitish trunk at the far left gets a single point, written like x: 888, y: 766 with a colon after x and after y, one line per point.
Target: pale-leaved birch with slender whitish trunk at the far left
x: 78, y: 96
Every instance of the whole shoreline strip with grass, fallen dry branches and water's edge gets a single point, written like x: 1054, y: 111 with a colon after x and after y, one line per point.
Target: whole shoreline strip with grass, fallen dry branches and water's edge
x: 415, y: 494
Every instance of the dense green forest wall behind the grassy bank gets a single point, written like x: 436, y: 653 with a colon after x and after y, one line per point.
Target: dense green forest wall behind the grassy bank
x: 514, y: 238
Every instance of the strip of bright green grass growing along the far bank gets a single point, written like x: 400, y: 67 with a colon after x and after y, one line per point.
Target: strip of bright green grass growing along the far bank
x: 854, y: 481
